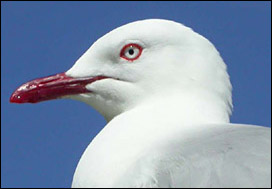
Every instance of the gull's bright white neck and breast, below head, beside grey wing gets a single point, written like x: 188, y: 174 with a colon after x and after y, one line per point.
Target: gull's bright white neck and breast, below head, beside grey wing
x: 134, y: 133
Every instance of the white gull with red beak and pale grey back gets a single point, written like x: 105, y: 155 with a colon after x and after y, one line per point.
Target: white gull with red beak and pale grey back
x: 166, y: 95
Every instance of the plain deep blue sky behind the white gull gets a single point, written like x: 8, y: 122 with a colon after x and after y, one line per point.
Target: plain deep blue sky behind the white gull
x: 41, y: 144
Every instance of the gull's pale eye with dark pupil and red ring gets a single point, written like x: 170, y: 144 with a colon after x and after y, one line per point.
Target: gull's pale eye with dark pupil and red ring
x: 131, y: 52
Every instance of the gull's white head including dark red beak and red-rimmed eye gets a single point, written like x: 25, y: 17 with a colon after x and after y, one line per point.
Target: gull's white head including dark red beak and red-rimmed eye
x: 135, y: 63
